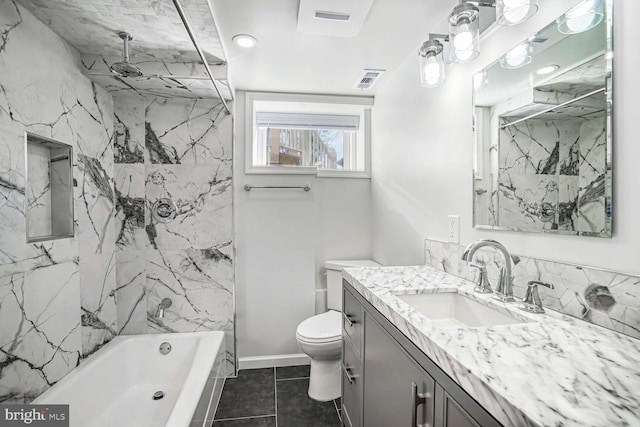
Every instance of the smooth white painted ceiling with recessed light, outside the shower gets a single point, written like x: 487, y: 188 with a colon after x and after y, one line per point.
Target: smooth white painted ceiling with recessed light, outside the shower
x: 287, y: 60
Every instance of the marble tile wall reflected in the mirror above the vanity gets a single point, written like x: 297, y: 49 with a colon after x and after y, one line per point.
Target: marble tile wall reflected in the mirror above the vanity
x: 552, y: 175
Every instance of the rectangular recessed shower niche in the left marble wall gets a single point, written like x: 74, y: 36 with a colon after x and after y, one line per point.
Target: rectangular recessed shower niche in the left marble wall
x: 48, y: 188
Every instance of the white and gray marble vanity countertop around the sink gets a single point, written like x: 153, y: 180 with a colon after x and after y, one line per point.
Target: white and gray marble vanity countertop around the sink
x: 553, y: 371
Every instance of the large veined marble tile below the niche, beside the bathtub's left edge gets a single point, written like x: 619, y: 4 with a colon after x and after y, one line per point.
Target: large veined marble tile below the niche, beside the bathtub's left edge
x: 39, y: 341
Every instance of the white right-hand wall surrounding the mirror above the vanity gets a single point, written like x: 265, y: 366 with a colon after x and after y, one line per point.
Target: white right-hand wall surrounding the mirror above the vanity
x: 422, y: 156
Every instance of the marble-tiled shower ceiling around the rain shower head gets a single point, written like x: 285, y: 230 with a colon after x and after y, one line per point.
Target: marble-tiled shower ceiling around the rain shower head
x: 161, y: 45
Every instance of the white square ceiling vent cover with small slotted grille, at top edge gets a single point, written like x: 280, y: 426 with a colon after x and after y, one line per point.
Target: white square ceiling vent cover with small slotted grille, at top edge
x: 333, y: 18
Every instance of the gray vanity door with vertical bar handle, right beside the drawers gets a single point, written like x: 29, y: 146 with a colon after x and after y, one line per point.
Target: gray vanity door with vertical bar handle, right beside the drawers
x: 394, y: 383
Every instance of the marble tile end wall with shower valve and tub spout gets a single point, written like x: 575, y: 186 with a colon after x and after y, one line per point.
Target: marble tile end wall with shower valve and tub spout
x: 178, y: 149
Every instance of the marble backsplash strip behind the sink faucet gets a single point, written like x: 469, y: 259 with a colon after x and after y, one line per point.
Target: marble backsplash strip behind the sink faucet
x: 601, y: 297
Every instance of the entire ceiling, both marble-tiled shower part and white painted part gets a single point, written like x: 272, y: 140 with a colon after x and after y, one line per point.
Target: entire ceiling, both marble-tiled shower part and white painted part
x: 285, y: 60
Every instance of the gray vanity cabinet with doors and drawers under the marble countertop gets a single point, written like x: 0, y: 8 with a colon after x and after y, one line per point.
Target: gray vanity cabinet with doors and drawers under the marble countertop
x: 388, y: 381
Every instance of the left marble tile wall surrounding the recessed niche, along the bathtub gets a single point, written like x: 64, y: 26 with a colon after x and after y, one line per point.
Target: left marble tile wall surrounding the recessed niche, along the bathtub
x: 56, y: 297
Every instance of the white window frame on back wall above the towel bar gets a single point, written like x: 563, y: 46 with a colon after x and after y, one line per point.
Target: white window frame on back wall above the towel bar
x: 250, y: 133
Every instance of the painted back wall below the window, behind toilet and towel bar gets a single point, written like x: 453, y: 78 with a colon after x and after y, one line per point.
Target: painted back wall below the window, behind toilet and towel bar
x: 283, y: 238
